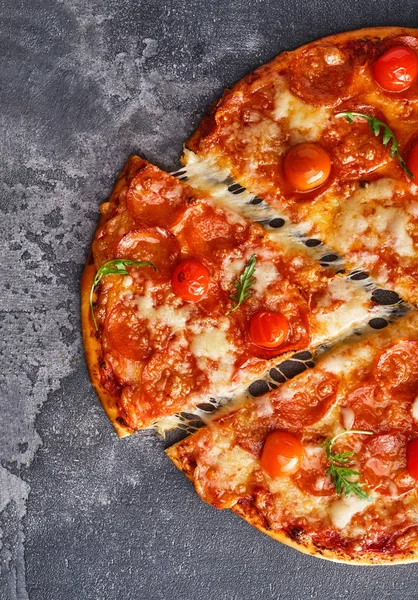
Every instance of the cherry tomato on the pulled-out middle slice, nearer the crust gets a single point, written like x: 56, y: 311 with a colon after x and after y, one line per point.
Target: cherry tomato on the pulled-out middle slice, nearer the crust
x: 190, y: 280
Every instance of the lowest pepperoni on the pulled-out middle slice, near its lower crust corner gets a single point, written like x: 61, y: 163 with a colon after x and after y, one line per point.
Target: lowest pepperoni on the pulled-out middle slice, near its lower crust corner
x: 170, y: 376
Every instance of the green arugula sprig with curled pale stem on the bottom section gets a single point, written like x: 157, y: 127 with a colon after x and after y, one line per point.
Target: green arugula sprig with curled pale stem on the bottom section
x: 339, y: 470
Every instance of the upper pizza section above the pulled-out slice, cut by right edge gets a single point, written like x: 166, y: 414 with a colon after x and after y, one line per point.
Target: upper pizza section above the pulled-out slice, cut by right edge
x: 327, y: 134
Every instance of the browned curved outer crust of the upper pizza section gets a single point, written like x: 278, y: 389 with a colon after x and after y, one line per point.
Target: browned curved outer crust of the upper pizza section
x: 278, y: 61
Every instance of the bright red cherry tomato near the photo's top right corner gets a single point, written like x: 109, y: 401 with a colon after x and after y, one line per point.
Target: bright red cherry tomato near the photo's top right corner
x: 397, y: 69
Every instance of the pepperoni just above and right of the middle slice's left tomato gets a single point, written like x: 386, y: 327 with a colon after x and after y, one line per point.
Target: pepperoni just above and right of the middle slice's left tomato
x: 208, y: 232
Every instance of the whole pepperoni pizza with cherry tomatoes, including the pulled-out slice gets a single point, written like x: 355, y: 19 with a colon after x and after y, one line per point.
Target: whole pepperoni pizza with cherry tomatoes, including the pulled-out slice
x: 269, y: 288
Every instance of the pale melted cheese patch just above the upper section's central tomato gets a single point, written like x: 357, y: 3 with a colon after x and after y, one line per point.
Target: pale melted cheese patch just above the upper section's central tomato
x: 305, y: 122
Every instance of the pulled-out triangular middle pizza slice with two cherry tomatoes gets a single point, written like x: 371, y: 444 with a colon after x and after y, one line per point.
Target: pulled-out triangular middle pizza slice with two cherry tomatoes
x: 184, y: 299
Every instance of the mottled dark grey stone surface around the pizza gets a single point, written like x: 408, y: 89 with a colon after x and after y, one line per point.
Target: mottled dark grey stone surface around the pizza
x: 83, y: 83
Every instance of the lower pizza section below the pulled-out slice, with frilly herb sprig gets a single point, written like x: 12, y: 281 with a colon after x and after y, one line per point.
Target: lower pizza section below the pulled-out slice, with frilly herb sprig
x: 328, y: 462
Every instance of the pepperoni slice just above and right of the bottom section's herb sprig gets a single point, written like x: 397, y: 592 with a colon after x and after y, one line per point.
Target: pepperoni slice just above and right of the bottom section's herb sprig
x: 374, y: 411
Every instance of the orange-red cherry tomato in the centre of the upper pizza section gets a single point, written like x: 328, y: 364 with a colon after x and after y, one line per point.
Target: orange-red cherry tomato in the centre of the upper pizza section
x: 306, y: 166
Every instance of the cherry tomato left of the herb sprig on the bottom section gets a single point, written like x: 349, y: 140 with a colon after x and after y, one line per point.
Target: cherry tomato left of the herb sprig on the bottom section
x: 282, y: 454
